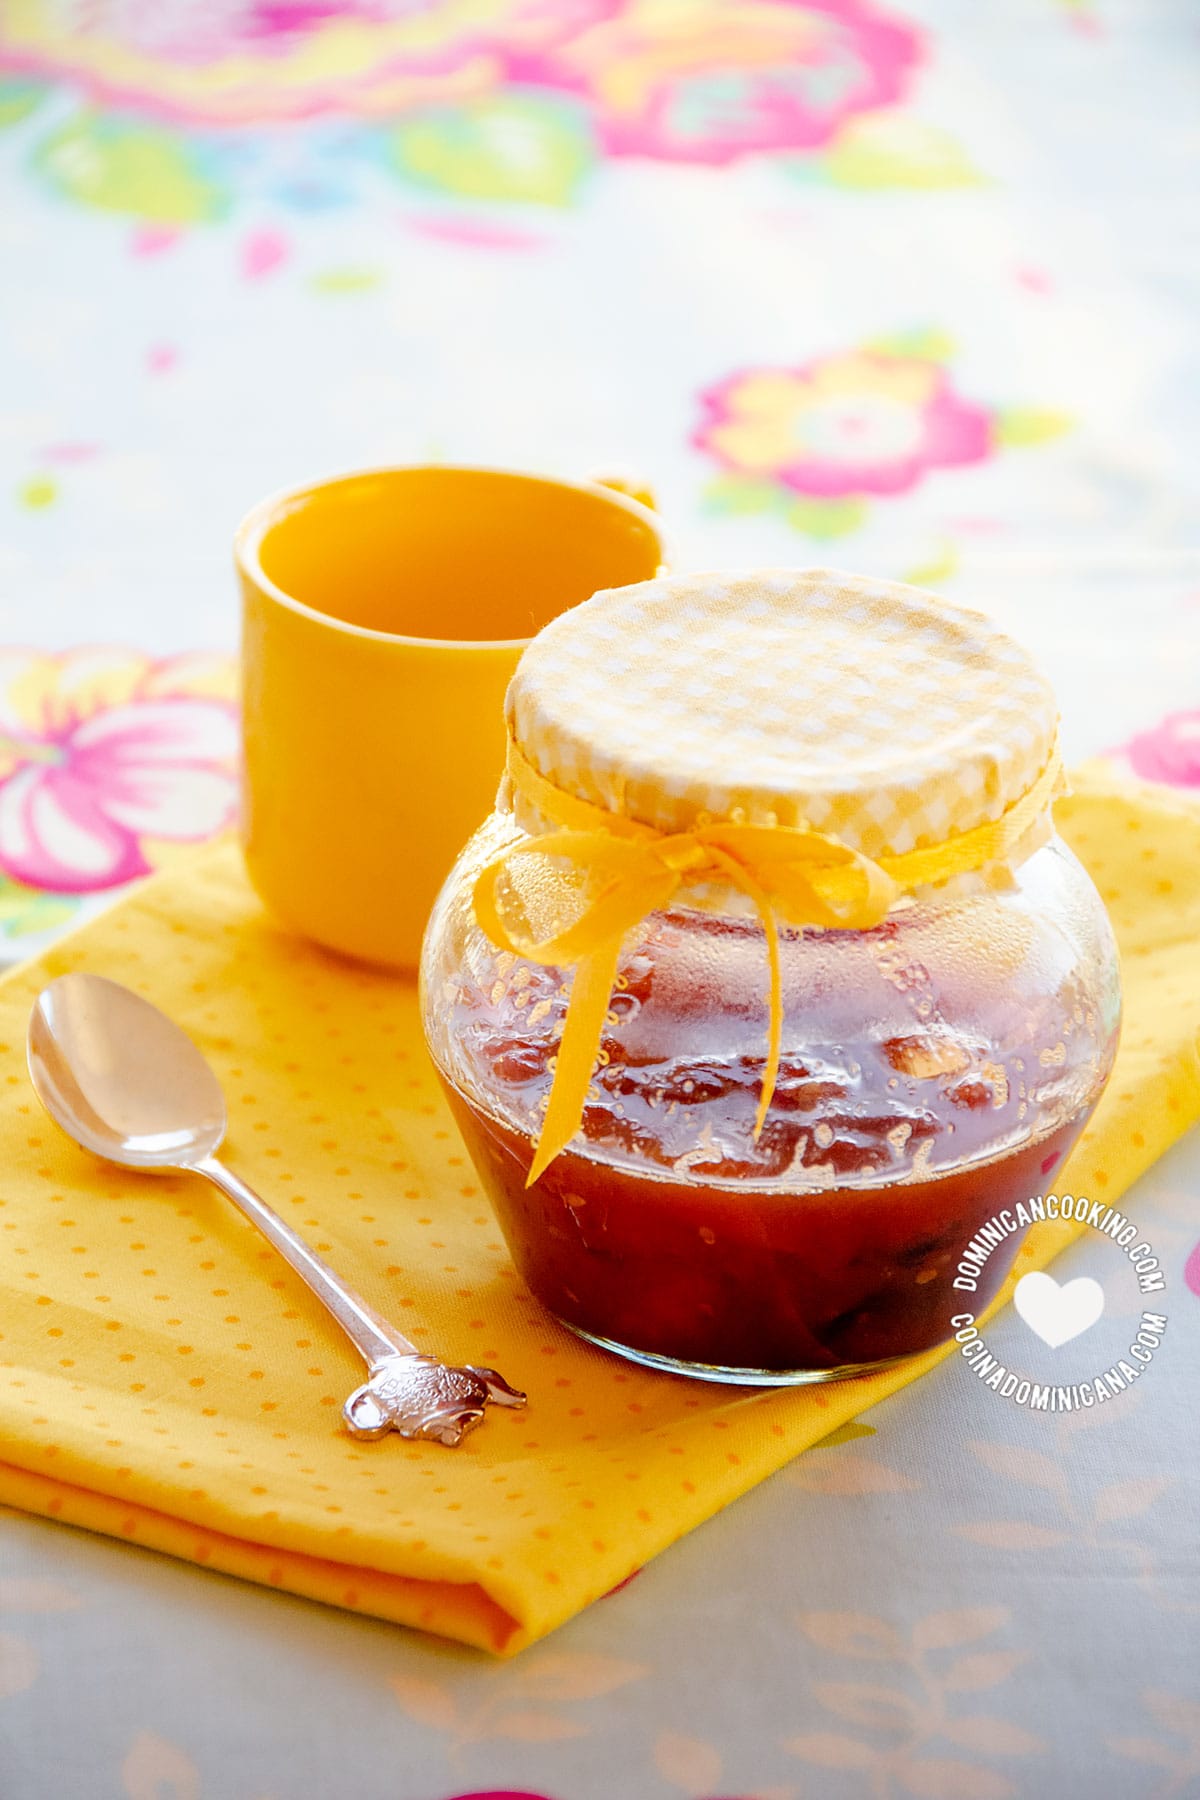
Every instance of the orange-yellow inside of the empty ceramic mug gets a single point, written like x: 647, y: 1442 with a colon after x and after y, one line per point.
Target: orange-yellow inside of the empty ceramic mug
x: 449, y: 553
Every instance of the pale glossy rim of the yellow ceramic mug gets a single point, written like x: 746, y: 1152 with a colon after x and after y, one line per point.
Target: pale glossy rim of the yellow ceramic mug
x: 271, y: 510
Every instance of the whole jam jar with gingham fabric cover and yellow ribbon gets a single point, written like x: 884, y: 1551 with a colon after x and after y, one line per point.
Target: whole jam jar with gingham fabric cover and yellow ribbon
x: 769, y: 984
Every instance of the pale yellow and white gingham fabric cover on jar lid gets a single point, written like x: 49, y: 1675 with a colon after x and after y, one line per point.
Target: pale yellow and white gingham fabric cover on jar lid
x: 861, y: 708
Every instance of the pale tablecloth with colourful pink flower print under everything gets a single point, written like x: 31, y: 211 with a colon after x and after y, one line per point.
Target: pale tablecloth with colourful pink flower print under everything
x: 908, y: 289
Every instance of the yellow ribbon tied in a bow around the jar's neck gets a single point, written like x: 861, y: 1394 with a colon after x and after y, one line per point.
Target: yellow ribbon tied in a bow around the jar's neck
x: 634, y: 870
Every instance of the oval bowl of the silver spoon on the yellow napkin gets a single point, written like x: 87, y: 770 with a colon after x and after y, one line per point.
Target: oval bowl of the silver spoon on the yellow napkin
x: 123, y: 1079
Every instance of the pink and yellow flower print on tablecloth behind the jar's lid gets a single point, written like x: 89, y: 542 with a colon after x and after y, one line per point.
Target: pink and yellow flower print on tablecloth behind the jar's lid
x: 850, y: 424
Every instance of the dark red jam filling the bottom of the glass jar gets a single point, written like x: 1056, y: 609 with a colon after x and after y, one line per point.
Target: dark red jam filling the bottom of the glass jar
x: 749, y: 1279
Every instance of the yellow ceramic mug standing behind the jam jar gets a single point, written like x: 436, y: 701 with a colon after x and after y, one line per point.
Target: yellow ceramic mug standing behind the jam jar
x: 384, y: 616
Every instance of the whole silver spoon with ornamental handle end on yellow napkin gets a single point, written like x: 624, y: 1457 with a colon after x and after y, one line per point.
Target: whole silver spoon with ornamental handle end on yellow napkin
x: 130, y: 1086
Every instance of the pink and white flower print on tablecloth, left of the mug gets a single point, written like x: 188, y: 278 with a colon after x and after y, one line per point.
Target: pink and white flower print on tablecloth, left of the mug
x: 107, y: 760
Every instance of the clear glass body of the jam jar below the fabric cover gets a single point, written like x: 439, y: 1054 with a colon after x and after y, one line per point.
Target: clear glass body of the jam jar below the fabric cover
x: 935, y: 1068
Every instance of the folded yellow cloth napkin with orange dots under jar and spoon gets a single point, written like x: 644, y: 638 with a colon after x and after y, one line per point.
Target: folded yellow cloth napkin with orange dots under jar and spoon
x: 166, y: 1380
